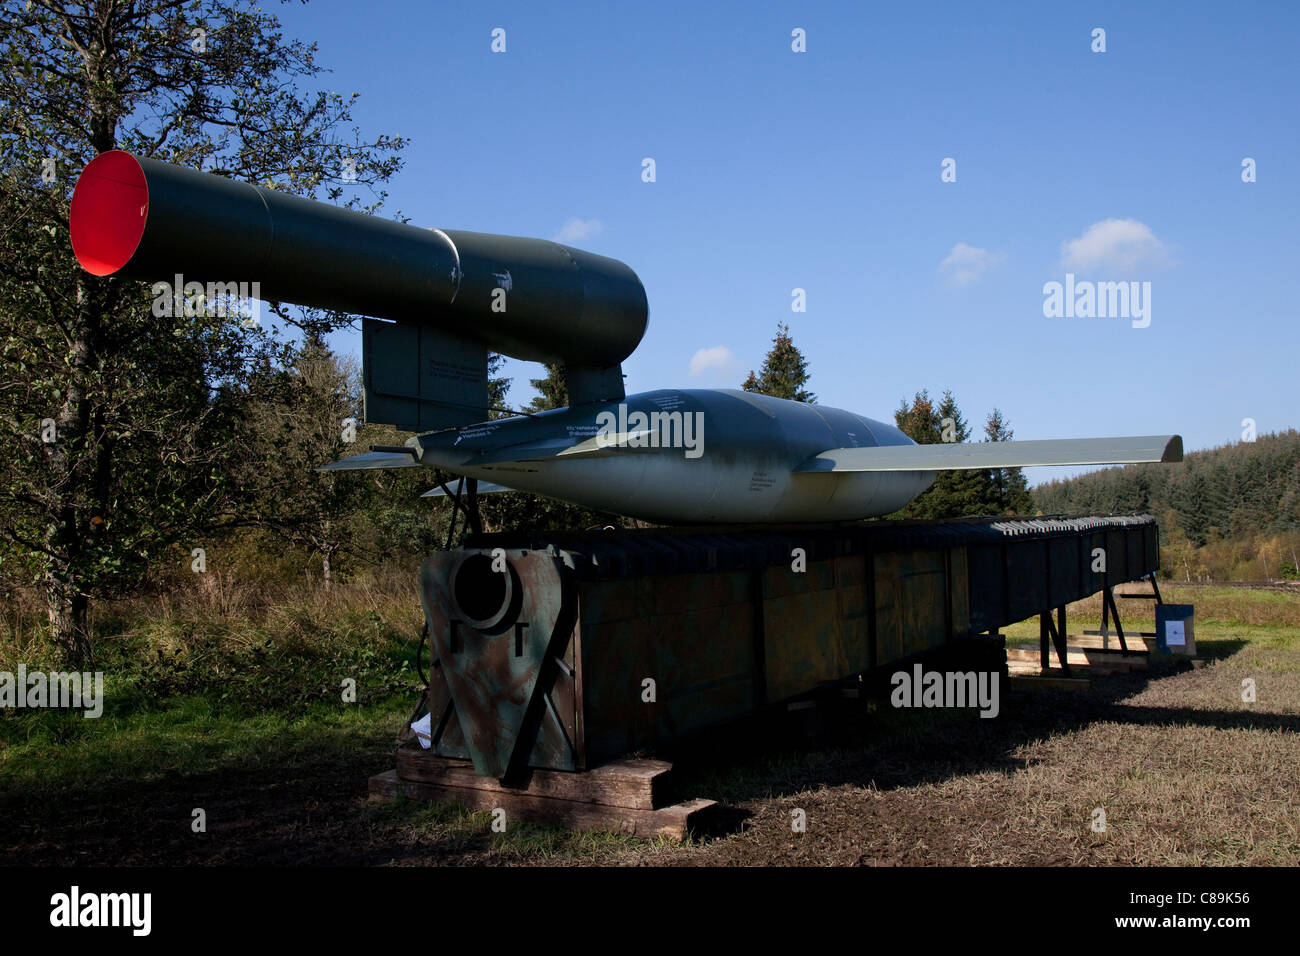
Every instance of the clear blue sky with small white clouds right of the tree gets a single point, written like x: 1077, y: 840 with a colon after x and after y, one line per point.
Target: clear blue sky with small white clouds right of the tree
x: 822, y: 171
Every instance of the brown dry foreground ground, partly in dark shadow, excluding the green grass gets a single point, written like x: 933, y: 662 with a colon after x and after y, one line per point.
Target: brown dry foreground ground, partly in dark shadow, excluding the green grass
x: 1185, y: 772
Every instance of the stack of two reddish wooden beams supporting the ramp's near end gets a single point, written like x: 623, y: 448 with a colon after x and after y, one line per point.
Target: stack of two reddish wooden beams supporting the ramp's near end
x: 626, y: 795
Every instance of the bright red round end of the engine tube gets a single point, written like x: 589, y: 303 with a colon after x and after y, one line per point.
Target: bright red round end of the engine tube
x: 109, y: 213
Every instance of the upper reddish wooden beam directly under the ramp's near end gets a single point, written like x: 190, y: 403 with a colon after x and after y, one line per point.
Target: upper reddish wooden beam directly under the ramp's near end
x: 632, y: 784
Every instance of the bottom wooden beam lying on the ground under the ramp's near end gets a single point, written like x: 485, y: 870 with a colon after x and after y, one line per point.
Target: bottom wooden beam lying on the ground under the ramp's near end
x: 674, y: 823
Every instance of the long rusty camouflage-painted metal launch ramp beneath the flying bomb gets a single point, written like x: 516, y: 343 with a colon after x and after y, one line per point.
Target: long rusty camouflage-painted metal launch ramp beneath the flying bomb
x: 561, y: 652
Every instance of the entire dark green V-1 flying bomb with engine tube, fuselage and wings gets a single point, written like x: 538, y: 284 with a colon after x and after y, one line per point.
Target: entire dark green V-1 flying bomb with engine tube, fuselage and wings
x: 441, y: 300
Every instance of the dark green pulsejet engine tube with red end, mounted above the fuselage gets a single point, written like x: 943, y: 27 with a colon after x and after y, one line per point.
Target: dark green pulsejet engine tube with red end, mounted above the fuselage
x: 528, y: 299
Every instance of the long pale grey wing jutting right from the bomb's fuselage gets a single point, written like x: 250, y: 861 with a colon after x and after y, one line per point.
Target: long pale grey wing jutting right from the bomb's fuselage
x: 998, y: 455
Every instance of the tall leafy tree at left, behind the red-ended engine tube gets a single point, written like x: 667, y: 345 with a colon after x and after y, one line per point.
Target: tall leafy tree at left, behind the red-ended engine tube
x: 119, y: 423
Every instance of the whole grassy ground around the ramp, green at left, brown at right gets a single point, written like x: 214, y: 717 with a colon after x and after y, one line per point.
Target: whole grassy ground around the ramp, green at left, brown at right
x: 231, y: 706
